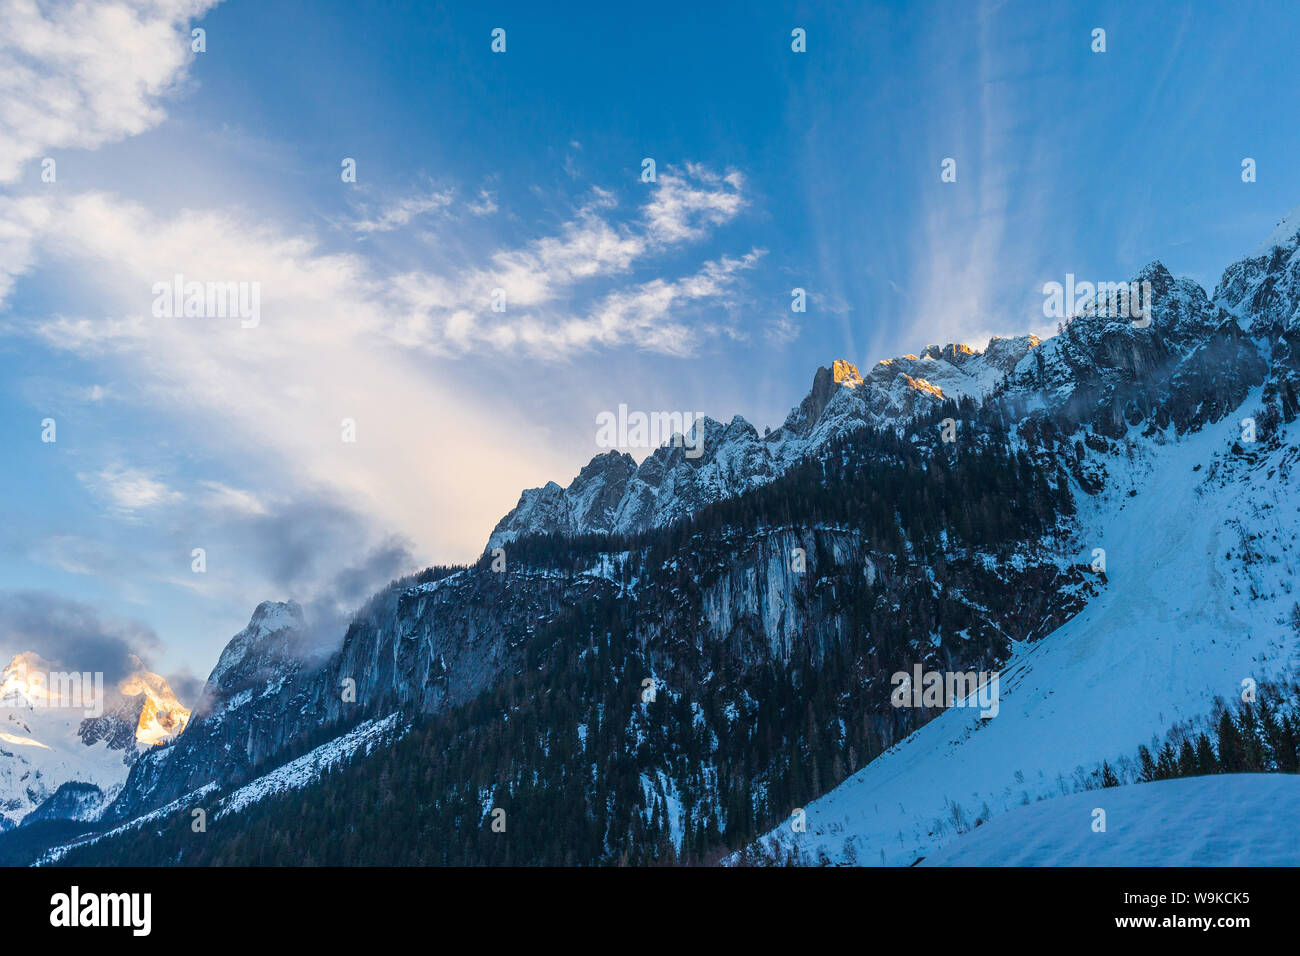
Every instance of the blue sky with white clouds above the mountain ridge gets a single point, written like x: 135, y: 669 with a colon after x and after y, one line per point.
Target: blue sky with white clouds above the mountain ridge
x: 523, y: 171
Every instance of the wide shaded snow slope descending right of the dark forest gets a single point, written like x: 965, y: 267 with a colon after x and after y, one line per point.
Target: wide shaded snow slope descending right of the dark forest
x: 1188, y: 615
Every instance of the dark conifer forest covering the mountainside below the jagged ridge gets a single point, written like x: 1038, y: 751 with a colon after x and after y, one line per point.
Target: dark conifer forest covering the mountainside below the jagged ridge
x: 905, y: 540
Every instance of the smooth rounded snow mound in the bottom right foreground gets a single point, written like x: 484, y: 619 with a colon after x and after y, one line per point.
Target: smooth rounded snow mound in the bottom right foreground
x: 1230, y: 820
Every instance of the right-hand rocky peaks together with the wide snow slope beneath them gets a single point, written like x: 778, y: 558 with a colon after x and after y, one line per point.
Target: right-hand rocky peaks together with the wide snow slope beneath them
x: 1197, y: 509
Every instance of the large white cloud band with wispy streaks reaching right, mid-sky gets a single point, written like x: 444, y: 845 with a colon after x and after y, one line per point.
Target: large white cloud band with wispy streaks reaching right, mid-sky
x: 335, y: 343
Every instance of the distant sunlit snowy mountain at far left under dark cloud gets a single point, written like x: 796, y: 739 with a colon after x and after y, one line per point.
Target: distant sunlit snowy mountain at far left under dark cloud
x: 49, y: 741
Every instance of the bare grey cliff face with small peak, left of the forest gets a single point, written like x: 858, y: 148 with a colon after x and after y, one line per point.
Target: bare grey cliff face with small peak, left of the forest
x: 417, y: 647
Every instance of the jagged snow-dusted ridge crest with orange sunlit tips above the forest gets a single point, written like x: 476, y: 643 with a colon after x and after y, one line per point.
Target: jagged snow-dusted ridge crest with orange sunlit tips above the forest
x: 614, y: 495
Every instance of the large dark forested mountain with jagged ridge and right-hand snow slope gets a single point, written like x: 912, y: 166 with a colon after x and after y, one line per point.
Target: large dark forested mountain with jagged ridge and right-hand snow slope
x: 827, y: 553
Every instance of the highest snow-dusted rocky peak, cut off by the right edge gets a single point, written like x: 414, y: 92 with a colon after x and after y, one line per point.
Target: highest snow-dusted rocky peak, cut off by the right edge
x: 1266, y: 287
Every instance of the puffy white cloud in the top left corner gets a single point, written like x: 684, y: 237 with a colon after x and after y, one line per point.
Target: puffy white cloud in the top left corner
x: 83, y: 75
